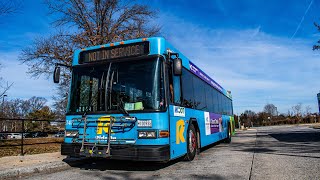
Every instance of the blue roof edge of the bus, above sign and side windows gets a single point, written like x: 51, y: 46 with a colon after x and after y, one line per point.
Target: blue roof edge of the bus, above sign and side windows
x: 156, y: 46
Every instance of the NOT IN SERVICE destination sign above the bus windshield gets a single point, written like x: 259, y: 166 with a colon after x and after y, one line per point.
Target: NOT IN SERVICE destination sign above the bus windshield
x: 114, y: 52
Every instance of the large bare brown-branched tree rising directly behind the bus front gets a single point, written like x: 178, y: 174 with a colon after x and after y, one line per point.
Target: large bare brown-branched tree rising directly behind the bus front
x: 93, y: 22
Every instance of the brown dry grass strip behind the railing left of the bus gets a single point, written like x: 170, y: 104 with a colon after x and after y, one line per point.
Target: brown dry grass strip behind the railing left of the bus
x: 31, y: 146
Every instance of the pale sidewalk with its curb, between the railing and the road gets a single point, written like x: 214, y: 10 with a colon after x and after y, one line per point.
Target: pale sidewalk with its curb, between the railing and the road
x: 19, y: 166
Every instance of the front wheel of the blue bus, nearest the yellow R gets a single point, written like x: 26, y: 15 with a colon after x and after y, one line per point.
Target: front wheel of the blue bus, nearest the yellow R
x: 192, y: 143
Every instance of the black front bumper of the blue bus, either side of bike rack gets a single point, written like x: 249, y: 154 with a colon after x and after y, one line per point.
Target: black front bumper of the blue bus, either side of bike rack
x: 125, y: 152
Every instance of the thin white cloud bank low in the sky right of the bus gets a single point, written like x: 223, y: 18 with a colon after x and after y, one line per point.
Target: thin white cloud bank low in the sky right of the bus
x: 257, y: 67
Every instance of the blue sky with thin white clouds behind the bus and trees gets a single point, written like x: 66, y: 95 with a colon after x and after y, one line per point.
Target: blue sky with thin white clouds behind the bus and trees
x: 256, y: 49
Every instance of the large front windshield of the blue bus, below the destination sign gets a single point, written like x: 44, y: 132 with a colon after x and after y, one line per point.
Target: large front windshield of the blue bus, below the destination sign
x: 117, y: 86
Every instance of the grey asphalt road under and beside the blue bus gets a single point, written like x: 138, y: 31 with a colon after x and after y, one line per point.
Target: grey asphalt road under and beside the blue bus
x: 278, y: 152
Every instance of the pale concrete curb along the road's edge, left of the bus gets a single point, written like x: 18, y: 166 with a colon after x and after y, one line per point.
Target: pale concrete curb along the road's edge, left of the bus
x: 41, y: 168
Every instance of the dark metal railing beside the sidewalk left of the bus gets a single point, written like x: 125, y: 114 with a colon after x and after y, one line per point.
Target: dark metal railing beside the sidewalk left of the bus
x: 15, y: 128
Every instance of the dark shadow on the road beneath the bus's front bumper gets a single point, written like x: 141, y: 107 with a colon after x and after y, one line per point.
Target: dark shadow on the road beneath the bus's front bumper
x: 110, y: 164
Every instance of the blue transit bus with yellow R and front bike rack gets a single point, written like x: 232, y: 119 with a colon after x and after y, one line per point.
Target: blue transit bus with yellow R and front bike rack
x: 142, y: 100
